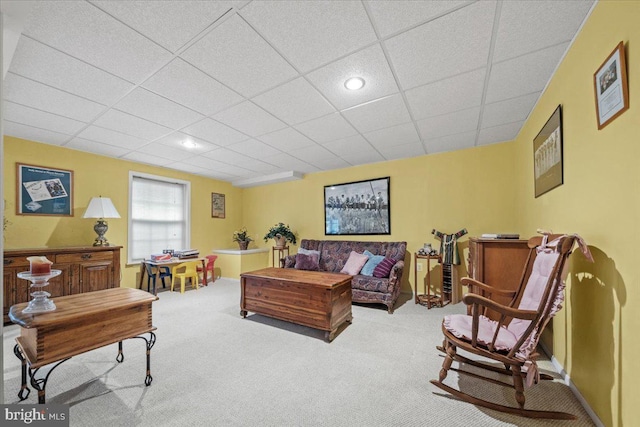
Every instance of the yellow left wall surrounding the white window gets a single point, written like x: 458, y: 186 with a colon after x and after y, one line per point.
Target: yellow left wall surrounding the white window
x: 97, y: 175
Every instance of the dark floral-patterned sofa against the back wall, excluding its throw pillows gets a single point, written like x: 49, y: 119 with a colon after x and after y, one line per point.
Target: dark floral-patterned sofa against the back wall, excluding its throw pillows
x: 365, y: 289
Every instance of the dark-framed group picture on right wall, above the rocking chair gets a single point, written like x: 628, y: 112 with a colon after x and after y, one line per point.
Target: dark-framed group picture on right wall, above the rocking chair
x: 547, y: 154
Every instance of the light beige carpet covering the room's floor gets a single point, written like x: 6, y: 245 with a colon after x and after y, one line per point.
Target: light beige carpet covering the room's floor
x: 210, y: 367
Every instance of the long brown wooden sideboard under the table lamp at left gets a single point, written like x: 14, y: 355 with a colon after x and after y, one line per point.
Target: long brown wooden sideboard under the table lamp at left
x: 84, y: 269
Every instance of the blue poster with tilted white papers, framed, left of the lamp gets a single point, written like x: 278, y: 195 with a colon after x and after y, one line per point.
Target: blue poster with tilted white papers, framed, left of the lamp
x: 44, y: 191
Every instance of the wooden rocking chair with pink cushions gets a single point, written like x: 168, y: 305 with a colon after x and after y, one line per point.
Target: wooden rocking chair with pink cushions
x: 513, y: 337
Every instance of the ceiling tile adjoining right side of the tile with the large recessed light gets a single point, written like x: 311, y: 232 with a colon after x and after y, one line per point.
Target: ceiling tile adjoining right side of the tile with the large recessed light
x: 453, y: 44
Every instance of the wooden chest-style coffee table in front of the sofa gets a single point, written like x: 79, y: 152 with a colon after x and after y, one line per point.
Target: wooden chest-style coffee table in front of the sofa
x: 310, y: 298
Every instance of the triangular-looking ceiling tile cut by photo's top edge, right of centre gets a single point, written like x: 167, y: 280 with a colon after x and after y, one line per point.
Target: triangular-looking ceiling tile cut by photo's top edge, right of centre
x: 393, y: 16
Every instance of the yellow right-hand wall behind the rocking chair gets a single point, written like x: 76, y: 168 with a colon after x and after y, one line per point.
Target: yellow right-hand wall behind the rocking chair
x: 599, y: 200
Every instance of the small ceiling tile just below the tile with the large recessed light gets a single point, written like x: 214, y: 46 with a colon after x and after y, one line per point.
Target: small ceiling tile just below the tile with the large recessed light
x: 378, y: 114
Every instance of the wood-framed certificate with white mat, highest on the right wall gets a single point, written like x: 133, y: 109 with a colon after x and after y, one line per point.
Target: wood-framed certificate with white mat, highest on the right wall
x: 610, y: 85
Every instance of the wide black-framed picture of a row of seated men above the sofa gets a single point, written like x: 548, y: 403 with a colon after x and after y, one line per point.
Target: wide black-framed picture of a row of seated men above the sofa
x: 361, y: 207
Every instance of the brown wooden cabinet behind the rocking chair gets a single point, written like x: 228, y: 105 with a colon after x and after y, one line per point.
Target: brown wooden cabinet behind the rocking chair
x: 498, y: 263
